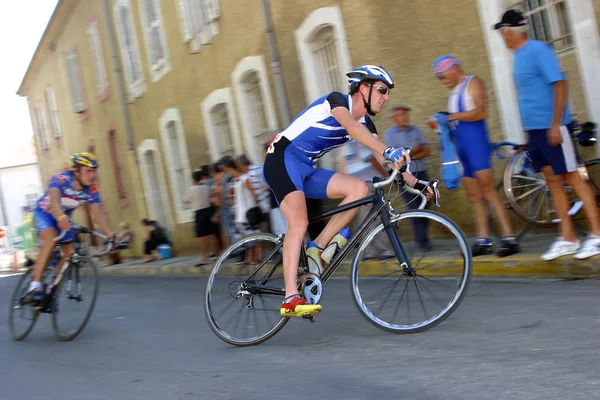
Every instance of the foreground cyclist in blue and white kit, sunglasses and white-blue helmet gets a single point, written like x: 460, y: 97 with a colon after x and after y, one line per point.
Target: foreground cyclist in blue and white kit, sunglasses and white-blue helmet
x: 289, y: 170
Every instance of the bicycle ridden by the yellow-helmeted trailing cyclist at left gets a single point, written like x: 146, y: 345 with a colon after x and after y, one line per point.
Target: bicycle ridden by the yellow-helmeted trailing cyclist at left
x: 71, y: 288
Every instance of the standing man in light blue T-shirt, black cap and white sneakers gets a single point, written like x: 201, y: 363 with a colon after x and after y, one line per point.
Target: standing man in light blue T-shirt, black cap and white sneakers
x: 542, y: 96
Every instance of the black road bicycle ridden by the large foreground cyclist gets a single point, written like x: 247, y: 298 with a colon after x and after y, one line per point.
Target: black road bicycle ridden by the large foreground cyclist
x: 242, y: 299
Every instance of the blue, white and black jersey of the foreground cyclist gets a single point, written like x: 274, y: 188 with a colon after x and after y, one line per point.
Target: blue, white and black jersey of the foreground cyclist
x: 315, y: 131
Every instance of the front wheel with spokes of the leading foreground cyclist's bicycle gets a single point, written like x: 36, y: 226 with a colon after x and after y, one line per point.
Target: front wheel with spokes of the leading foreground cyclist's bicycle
x: 413, y: 298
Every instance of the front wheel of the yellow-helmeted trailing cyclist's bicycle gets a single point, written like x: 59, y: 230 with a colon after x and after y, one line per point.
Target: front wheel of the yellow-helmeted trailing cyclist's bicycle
x: 75, y: 298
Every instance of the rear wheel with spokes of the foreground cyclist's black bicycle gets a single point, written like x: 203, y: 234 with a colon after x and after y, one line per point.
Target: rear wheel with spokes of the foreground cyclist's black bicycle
x: 236, y: 312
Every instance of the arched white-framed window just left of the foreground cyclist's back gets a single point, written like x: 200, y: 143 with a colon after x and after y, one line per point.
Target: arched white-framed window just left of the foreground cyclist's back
x: 255, y: 103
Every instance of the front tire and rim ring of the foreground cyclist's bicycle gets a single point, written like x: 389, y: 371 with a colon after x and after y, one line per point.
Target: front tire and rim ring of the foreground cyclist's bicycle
x: 456, y: 300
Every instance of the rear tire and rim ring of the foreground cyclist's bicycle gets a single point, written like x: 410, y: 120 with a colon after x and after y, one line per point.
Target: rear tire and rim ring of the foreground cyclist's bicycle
x: 208, y: 300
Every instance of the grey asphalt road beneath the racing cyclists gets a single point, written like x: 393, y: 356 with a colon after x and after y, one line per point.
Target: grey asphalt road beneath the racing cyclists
x: 148, y: 339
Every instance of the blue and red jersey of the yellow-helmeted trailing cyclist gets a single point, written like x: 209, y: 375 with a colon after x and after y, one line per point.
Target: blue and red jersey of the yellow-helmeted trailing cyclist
x: 69, y: 201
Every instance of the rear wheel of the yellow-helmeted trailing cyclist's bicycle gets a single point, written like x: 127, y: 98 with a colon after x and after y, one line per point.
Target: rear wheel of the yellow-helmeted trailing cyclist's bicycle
x: 21, y: 315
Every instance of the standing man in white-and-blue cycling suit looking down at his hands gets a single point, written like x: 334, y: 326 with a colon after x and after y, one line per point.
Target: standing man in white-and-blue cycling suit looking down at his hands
x: 467, y: 112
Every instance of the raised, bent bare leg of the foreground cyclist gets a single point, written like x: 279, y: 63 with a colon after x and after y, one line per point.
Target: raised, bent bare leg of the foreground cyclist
x: 349, y: 188
